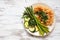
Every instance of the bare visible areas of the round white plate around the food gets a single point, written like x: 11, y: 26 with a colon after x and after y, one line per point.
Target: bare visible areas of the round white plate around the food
x: 50, y: 27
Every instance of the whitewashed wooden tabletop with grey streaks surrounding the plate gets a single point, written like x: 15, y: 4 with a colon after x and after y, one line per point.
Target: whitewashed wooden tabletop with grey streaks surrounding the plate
x: 11, y: 27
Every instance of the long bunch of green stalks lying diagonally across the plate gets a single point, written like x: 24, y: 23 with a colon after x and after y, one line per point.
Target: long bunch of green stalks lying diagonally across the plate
x: 41, y: 28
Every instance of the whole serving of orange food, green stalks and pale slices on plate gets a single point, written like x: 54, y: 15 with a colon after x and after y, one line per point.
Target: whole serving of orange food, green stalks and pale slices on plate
x: 37, y: 18
